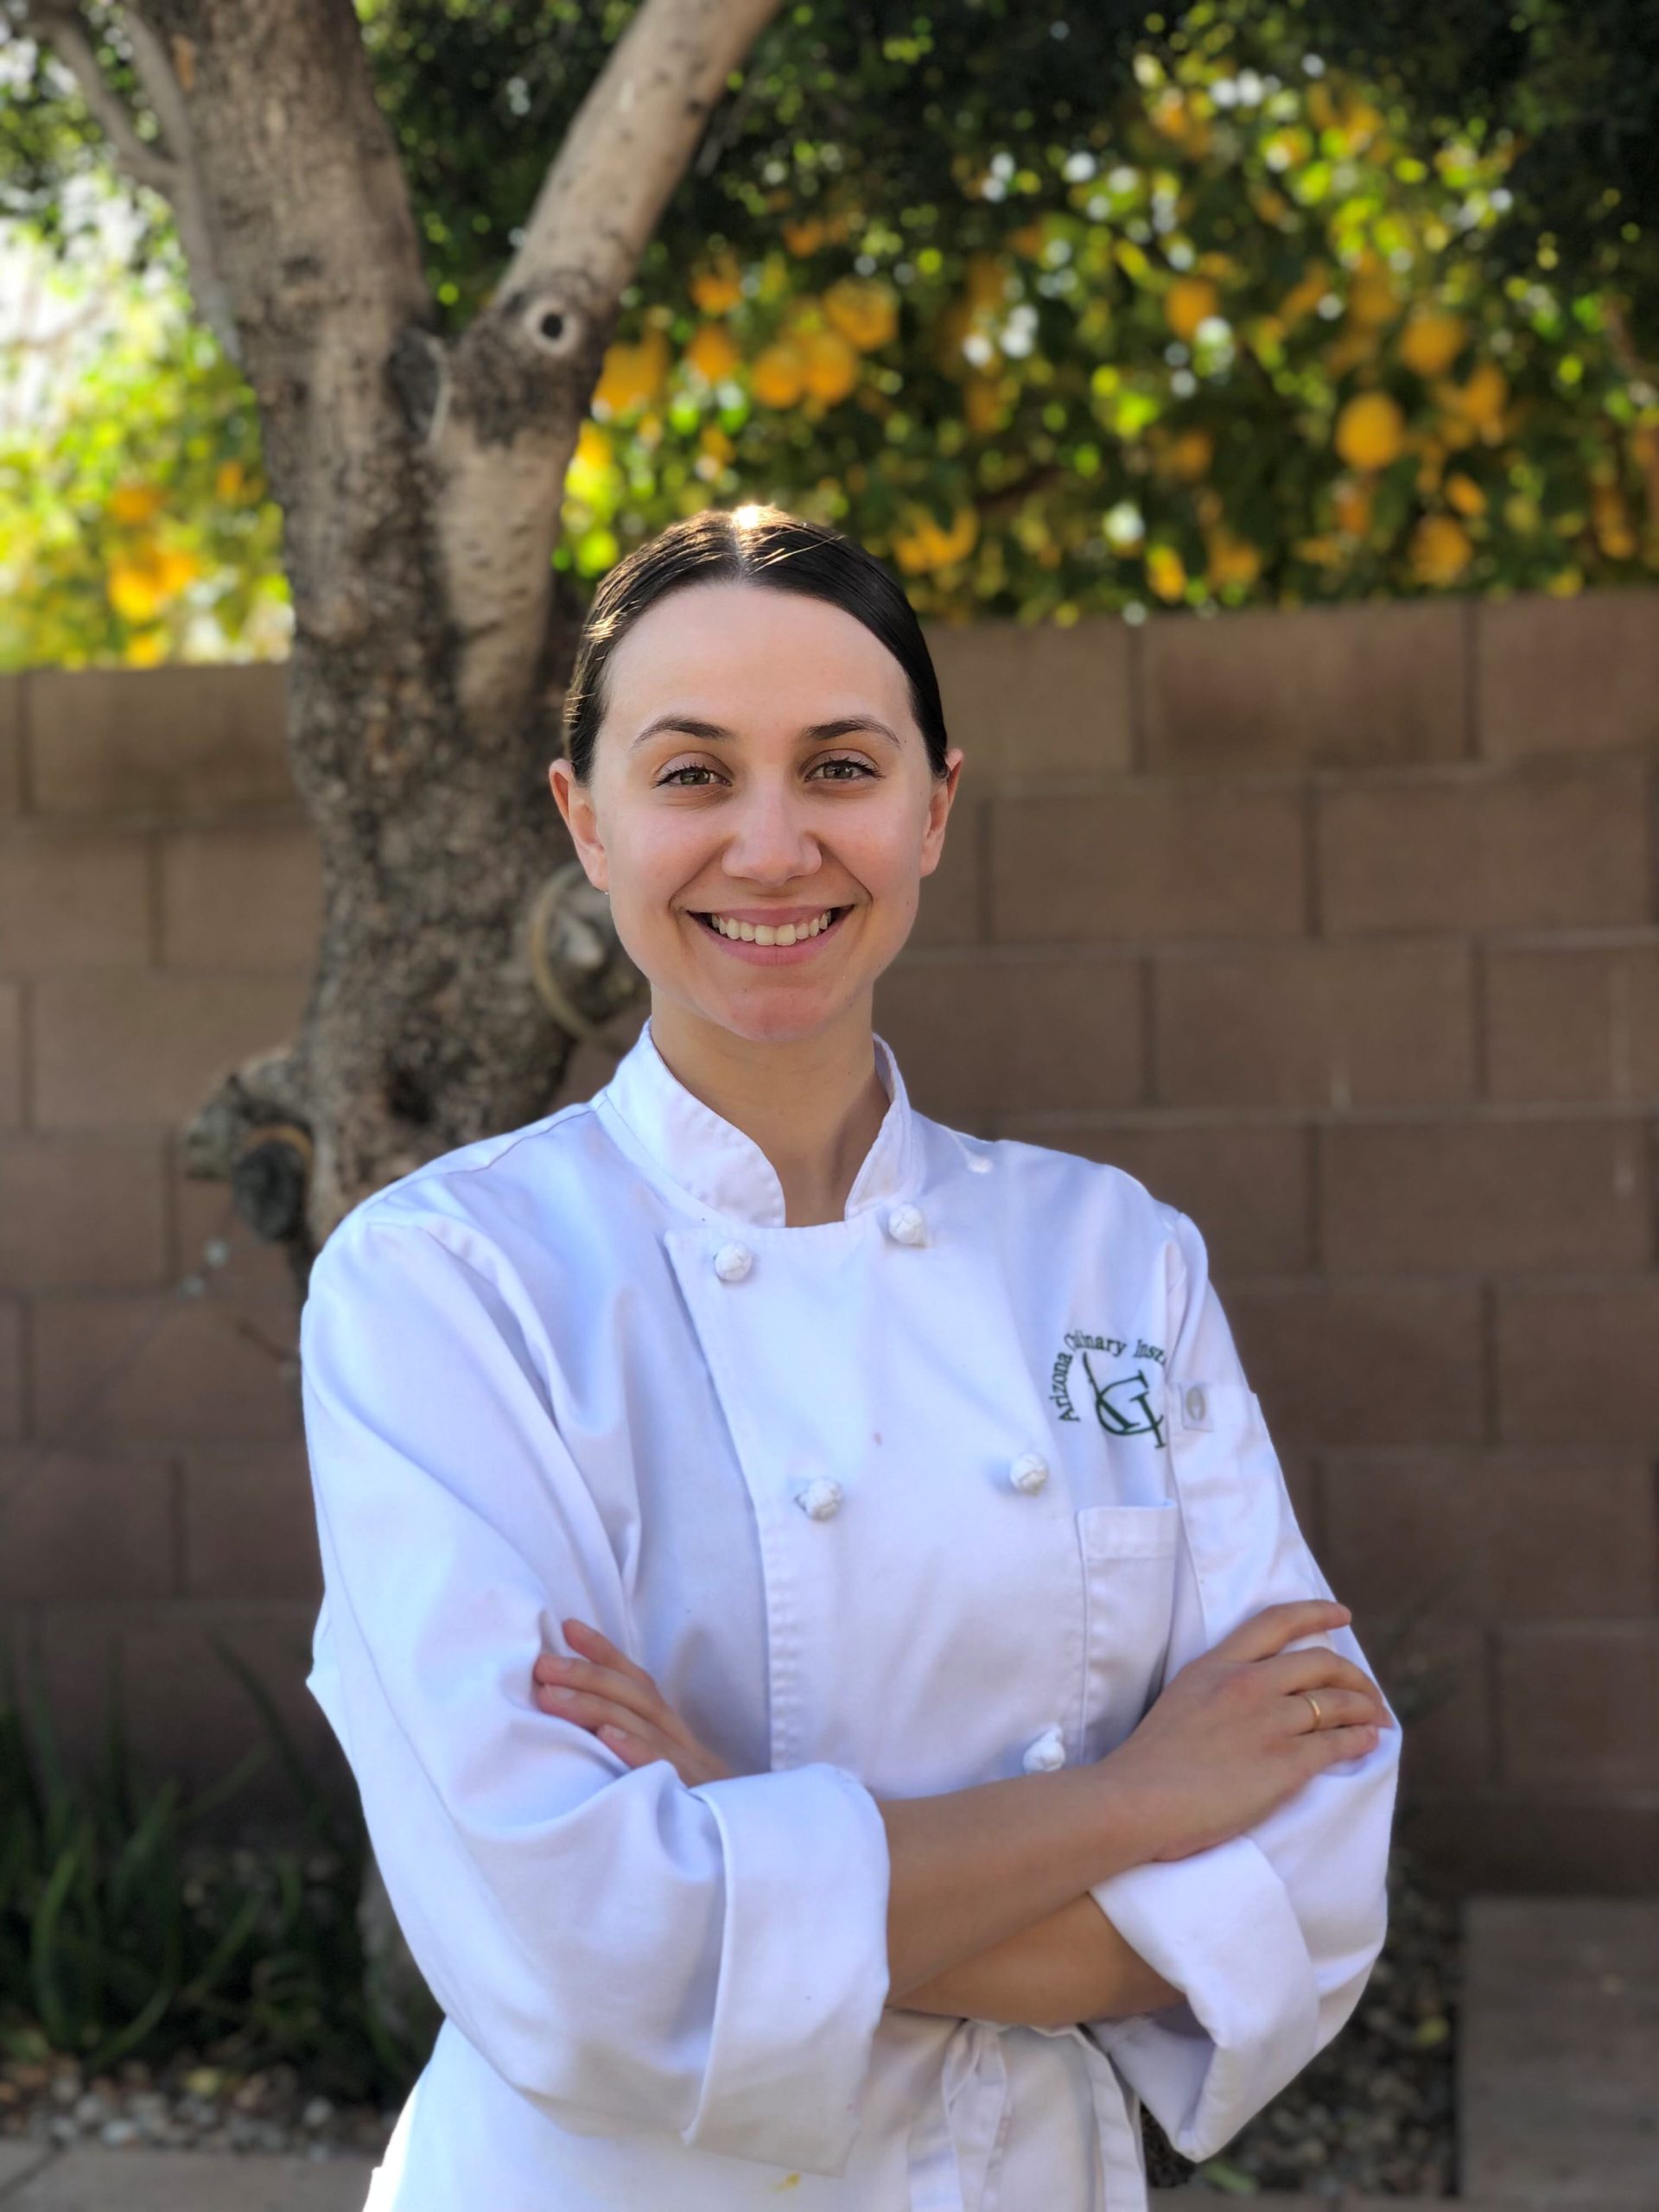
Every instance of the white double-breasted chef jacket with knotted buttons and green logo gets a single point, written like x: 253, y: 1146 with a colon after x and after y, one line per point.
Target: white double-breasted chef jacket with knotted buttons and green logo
x: 904, y: 1503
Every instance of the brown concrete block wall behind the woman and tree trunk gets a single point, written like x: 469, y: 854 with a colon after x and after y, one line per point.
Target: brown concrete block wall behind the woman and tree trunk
x: 1339, y: 928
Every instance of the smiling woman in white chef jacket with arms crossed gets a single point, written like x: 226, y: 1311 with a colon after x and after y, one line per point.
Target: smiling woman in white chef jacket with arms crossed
x: 839, y: 1695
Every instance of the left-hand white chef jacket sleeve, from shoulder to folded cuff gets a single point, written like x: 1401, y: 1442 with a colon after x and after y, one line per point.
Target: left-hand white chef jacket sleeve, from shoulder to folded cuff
x: 623, y: 1950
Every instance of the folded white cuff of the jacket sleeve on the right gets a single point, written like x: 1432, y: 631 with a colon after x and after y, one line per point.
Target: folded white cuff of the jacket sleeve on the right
x: 1220, y: 1928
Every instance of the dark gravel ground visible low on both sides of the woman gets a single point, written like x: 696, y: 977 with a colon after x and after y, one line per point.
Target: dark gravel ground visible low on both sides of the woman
x: 1375, y: 2114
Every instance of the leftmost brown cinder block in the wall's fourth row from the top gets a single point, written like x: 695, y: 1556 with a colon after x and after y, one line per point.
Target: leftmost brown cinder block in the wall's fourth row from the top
x: 81, y: 1215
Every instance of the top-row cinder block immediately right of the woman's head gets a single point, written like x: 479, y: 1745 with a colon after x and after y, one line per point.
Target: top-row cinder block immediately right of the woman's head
x: 1027, y: 700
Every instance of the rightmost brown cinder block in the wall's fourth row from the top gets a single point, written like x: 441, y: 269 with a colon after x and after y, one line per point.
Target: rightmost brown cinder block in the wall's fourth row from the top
x: 1483, y: 1196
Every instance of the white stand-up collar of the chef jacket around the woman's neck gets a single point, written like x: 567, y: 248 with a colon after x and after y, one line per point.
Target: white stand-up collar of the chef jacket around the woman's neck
x: 718, y: 1165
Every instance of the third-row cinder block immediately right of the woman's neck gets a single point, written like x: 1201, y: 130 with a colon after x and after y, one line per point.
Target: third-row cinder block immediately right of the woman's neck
x: 994, y: 1034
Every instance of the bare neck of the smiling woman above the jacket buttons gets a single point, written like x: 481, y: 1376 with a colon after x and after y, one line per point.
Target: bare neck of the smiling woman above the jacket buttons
x: 813, y: 1105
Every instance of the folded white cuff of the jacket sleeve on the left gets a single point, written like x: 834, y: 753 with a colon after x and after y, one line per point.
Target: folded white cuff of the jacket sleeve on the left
x: 804, y: 1968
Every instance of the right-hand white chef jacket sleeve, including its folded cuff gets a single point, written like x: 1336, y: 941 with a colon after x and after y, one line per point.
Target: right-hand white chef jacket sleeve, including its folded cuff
x: 1273, y: 1934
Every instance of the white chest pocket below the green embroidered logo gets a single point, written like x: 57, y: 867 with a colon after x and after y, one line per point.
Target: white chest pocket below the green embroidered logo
x: 1129, y: 1594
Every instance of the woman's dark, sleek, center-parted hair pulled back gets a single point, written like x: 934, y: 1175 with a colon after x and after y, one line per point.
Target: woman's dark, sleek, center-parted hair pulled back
x: 764, y: 547
